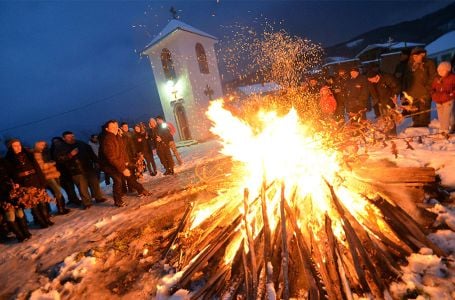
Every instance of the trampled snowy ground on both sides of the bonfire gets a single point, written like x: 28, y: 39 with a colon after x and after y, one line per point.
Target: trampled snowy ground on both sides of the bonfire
x: 110, y: 253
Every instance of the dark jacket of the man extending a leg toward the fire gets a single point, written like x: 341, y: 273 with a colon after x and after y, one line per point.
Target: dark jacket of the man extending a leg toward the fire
x: 112, y: 152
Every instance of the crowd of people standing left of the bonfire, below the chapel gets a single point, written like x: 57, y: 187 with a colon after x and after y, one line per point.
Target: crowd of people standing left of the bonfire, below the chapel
x: 32, y: 178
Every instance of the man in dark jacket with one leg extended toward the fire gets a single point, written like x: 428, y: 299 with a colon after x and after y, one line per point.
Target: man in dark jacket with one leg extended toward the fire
x: 114, y: 161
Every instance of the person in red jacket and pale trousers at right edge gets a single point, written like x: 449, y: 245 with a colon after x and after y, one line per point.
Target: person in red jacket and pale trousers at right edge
x: 443, y: 93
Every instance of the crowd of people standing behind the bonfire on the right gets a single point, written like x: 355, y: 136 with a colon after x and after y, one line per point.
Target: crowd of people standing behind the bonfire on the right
x: 416, y: 82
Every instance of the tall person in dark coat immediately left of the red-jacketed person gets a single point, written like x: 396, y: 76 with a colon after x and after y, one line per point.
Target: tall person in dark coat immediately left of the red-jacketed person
x: 417, y: 80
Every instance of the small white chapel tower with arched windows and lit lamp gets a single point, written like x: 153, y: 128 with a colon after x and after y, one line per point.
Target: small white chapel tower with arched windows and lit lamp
x: 186, y: 74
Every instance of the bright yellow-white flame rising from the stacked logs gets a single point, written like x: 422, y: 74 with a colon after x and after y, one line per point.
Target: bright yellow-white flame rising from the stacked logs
x: 284, y: 149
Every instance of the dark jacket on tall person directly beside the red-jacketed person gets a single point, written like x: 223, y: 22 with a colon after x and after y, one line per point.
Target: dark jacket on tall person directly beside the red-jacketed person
x: 418, y: 78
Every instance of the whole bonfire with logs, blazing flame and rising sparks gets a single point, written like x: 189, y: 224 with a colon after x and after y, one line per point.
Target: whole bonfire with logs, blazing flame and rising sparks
x: 304, y: 218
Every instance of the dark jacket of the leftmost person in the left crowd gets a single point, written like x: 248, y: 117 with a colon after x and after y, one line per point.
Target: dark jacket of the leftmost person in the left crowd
x: 24, y: 169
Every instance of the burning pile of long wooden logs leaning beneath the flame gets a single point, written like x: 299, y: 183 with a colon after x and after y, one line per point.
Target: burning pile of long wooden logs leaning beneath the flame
x: 307, y: 252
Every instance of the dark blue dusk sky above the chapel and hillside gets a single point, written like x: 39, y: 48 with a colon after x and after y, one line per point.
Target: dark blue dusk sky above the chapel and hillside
x: 71, y: 65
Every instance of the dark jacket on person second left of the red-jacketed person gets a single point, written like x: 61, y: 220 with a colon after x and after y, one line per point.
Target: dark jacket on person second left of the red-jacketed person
x: 383, y: 91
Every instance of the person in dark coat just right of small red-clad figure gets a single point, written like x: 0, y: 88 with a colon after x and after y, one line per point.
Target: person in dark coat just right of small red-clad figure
x: 357, y: 93
